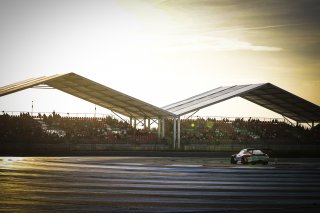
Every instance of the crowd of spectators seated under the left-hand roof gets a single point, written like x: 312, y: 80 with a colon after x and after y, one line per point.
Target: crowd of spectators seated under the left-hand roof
x: 57, y: 129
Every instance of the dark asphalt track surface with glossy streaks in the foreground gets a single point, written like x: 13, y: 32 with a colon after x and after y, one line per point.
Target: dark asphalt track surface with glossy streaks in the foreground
x: 157, y: 184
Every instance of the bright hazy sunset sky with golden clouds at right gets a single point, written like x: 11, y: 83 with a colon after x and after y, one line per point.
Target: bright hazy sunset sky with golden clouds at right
x: 160, y: 51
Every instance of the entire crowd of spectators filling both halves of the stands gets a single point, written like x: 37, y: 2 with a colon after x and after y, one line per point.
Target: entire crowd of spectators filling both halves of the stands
x: 57, y: 129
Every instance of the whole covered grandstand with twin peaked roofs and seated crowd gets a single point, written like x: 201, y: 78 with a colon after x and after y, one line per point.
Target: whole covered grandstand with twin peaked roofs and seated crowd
x: 54, y: 131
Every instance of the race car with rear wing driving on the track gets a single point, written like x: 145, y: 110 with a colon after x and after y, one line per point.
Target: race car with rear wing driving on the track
x: 250, y: 155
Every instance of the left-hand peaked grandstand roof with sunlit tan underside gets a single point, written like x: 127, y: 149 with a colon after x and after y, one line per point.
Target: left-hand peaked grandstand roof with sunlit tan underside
x: 93, y: 92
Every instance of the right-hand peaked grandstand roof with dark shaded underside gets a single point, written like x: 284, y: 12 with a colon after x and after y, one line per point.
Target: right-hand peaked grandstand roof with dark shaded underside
x: 265, y: 95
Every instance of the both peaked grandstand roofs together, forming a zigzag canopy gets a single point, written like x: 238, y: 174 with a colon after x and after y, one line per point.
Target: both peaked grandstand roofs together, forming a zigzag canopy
x: 266, y: 95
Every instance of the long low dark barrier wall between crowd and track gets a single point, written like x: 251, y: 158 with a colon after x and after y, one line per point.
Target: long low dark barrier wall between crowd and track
x: 7, y: 148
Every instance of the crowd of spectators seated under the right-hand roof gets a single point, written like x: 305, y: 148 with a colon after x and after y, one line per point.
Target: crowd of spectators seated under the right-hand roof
x: 210, y: 130
